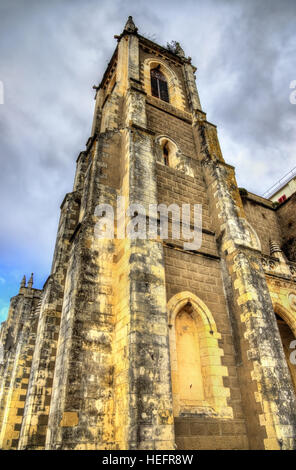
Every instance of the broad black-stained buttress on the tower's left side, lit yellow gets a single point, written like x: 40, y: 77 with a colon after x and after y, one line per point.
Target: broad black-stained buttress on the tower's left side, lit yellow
x: 80, y: 409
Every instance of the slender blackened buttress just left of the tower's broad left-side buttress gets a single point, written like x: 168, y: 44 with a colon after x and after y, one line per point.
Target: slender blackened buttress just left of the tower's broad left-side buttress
x: 34, y: 425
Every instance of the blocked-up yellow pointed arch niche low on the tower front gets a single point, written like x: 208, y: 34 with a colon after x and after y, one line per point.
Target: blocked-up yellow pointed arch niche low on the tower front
x: 196, y: 368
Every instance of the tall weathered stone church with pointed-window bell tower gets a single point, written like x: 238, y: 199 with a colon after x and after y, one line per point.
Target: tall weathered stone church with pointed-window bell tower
x: 144, y: 342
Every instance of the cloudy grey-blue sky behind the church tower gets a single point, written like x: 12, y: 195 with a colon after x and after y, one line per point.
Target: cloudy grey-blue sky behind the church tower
x: 51, y: 53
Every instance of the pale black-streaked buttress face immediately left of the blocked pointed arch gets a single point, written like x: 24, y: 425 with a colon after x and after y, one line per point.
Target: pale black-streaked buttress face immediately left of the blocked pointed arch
x: 150, y: 407
